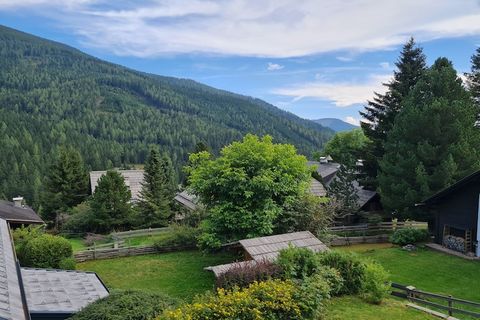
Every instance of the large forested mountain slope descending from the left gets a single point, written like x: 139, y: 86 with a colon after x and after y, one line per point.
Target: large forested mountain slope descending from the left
x: 52, y: 94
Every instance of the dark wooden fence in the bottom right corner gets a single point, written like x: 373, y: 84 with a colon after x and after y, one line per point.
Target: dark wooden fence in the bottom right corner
x: 445, y: 303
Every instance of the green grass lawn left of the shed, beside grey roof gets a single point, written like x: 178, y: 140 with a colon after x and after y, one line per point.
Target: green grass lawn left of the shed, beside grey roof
x: 178, y: 274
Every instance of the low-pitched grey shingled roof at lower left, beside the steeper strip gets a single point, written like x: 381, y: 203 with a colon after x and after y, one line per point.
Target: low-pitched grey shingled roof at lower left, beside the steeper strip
x: 55, y: 291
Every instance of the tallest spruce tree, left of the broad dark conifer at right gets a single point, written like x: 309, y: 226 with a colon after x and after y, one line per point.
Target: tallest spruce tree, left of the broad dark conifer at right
x: 380, y: 112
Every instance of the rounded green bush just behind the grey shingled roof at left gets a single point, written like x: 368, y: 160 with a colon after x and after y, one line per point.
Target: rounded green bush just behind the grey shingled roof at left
x: 46, y: 251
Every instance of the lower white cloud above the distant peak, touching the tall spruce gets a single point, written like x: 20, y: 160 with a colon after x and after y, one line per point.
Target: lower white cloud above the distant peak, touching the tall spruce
x: 341, y: 94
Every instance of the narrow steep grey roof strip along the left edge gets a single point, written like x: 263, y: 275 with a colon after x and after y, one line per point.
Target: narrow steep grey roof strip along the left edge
x: 11, y: 303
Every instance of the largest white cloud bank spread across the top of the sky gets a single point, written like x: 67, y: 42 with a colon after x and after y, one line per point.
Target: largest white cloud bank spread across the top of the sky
x: 268, y: 28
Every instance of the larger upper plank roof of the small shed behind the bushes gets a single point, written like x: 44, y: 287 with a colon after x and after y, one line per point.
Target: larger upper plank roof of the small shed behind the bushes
x: 269, y: 247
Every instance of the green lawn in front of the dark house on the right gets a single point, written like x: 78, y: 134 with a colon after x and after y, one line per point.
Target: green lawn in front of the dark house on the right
x: 427, y: 269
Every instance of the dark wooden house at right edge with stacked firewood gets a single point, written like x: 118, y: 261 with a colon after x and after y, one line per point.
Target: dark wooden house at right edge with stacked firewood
x: 456, y: 213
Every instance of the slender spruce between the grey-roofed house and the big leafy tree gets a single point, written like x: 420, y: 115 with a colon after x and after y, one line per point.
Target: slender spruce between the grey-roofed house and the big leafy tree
x: 158, y: 190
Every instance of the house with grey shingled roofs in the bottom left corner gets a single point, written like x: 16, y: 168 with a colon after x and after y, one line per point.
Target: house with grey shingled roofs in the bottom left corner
x: 34, y: 294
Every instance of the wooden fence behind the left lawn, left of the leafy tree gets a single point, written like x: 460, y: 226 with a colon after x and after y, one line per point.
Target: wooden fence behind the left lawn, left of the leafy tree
x: 110, y: 253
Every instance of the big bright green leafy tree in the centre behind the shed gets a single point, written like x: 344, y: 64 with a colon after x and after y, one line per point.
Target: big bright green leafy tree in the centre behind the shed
x: 246, y: 188
